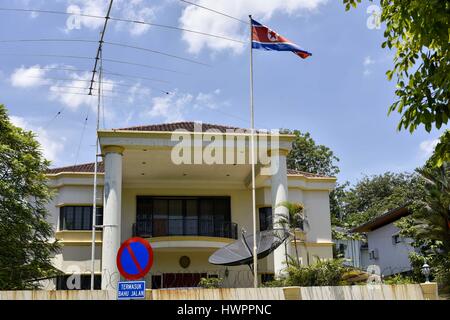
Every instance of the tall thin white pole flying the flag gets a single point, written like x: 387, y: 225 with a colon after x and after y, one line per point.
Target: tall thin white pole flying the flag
x: 252, y: 148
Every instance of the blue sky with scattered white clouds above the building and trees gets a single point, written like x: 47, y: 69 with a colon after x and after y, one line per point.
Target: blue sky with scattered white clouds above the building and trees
x: 340, y: 95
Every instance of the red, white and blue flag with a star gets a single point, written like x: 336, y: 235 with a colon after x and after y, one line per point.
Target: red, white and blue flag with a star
x: 267, y: 39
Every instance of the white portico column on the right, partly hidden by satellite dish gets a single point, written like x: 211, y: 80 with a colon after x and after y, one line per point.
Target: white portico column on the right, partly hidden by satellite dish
x: 279, y: 194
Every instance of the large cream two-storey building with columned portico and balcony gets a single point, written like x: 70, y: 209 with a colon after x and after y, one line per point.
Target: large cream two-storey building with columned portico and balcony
x: 187, y: 210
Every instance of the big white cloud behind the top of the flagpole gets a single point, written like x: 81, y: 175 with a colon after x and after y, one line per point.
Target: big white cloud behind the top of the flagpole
x: 199, y: 19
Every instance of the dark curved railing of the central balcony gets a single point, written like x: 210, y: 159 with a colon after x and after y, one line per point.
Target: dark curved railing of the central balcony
x: 185, y: 227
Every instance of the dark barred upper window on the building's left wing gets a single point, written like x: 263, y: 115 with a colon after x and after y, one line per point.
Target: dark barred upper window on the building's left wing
x: 79, y: 217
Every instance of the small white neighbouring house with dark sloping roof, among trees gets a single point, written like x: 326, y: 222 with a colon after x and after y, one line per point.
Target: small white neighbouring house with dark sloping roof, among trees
x: 387, y: 249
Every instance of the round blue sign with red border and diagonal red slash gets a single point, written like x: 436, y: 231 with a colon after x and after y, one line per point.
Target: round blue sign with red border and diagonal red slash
x: 135, y: 258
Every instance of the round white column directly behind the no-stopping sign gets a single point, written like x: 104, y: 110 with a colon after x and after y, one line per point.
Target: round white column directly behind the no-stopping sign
x: 111, y: 216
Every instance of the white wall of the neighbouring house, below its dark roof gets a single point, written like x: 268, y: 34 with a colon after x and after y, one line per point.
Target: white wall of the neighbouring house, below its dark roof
x: 391, y: 258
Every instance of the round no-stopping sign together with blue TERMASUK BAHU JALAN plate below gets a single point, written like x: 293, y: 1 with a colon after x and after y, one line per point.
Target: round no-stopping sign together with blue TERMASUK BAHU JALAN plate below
x: 134, y: 260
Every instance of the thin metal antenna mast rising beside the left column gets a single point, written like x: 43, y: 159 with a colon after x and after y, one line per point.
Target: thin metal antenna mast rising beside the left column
x: 94, y: 201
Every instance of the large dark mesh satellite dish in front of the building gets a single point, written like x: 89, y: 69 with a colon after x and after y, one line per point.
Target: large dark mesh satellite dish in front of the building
x: 240, y: 252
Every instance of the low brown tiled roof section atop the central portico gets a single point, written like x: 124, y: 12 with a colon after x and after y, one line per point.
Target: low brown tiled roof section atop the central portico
x: 188, y: 126
